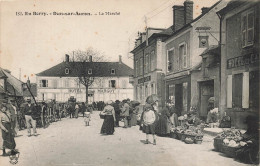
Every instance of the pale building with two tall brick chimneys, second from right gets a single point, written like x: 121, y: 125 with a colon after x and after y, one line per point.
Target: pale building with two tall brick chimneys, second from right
x: 183, y: 48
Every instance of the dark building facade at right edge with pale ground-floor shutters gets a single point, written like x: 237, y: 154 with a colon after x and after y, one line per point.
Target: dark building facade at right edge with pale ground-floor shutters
x: 240, y: 49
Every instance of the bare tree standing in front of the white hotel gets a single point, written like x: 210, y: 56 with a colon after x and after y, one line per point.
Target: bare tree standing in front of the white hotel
x: 83, y: 67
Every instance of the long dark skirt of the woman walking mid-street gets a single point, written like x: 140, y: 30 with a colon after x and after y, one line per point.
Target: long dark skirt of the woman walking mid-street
x: 108, y: 125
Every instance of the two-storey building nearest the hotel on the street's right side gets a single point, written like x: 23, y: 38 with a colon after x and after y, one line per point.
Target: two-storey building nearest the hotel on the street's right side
x: 148, y: 64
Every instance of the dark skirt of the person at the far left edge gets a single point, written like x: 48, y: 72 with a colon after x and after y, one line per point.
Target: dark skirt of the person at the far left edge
x: 8, y: 137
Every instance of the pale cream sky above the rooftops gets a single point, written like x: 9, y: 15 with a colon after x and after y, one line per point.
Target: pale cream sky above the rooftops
x: 30, y: 44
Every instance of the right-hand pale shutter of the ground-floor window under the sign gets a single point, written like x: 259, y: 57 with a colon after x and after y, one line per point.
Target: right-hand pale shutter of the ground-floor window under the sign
x: 245, y: 90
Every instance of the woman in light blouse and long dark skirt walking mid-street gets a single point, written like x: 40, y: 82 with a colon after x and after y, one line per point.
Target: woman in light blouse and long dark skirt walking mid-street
x: 109, y: 119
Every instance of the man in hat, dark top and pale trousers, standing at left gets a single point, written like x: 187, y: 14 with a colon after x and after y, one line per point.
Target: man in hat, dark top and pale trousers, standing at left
x: 29, y: 110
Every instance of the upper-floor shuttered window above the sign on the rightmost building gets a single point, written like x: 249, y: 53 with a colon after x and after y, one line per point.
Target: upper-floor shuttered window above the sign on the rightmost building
x: 247, y: 28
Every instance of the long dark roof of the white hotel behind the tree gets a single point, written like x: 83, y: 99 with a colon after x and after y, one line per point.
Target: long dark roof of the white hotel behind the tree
x: 99, y: 69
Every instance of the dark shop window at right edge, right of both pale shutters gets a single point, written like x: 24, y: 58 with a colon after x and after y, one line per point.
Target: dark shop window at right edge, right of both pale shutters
x: 253, y: 90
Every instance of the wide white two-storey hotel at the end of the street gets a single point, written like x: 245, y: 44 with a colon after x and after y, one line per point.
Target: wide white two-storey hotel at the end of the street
x: 60, y: 82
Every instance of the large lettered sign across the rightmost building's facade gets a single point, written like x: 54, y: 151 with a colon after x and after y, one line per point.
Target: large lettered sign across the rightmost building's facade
x: 242, y: 61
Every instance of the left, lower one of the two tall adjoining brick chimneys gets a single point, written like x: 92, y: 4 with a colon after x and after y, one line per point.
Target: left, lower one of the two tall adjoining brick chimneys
x: 178, y: 17
